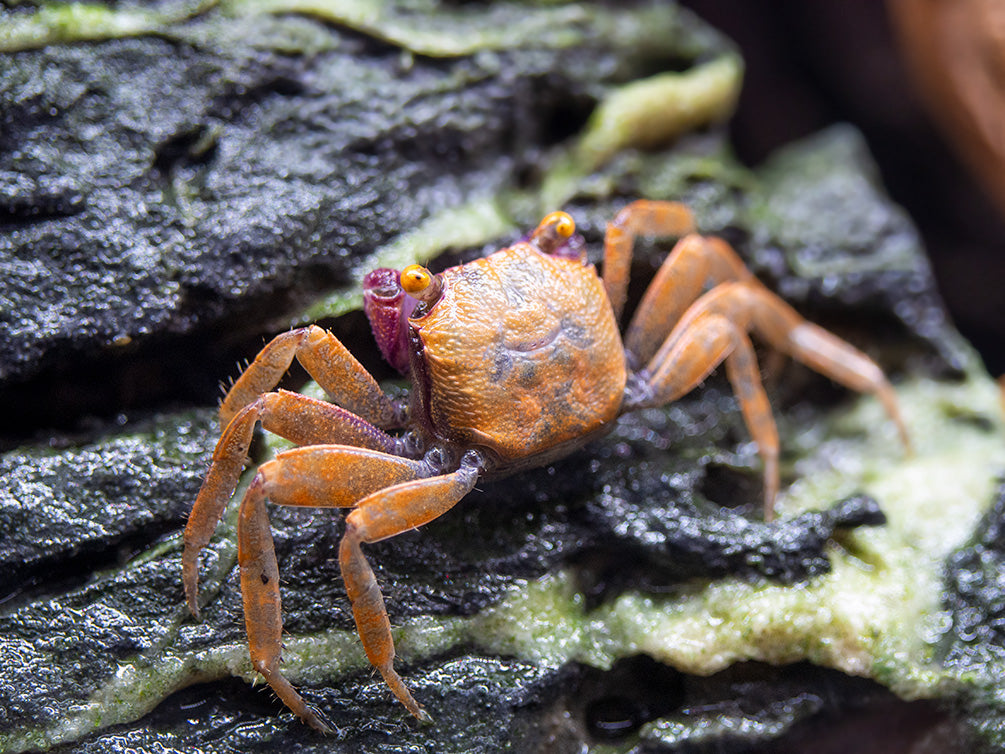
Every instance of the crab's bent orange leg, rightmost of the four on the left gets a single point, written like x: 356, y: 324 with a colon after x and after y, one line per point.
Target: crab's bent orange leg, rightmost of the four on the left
x: 382, y: 515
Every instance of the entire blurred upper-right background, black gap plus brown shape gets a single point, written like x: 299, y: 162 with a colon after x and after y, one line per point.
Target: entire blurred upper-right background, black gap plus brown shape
x: 925, y: 82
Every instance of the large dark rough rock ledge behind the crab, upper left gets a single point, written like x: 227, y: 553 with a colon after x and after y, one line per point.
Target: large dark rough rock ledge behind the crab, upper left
x: 242, y: 161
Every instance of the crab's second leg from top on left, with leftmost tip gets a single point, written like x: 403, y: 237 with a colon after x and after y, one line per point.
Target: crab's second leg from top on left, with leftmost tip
x: 297, y: 418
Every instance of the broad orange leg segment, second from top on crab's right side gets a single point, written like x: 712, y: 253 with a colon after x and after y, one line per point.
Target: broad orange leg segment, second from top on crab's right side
x: 695, y: 265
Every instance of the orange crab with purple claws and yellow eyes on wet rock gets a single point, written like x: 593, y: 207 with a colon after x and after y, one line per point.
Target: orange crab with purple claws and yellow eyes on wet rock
x: 516, y: 360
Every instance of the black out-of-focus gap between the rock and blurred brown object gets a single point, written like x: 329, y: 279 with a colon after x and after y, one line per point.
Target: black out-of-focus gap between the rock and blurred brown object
x: 811, y: 65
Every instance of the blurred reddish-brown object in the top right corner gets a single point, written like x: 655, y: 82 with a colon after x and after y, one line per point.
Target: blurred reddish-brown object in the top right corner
x: 956, y: 54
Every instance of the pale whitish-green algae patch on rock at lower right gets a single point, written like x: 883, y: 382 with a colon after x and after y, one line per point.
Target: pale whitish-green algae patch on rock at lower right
x: 876, y: 615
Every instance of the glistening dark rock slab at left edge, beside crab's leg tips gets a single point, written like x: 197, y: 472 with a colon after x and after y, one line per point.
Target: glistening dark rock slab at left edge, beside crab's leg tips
x: 69, y: 510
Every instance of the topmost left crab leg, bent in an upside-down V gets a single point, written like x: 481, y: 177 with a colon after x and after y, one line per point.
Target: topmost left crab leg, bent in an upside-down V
x: 327, y: 361
